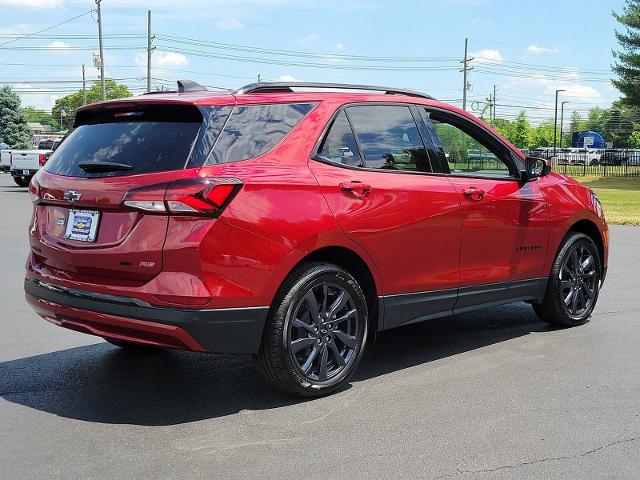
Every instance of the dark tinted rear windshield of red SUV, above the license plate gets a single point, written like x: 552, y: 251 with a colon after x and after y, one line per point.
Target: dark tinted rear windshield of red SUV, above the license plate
x: 150, y: 139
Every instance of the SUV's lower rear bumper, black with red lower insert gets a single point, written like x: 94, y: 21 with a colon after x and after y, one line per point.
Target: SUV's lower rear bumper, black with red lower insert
x: 235, y: 330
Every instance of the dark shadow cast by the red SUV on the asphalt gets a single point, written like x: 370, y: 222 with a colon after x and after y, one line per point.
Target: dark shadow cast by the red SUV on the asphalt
x: 105, y: 384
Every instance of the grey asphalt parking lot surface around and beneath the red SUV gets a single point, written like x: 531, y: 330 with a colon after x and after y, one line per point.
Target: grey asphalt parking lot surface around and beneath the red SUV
x: 491, y: 394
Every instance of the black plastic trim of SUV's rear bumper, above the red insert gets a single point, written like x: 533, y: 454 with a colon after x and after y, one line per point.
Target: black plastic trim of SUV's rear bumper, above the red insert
x: 234, y: 330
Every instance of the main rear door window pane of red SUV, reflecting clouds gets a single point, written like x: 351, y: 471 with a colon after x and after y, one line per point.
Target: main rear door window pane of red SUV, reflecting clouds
x: 389, y: 137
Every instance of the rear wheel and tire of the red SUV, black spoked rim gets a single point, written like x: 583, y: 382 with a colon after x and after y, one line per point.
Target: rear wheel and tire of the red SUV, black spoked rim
x: 304, y: 353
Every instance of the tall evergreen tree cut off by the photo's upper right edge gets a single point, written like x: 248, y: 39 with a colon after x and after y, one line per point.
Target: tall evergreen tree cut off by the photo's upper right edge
x: 627, y: 65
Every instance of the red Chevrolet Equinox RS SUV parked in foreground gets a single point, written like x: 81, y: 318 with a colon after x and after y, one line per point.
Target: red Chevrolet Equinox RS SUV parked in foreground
x: 294, y: 221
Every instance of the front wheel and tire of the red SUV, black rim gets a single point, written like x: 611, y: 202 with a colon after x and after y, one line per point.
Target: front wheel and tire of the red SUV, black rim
x: 570, y: 298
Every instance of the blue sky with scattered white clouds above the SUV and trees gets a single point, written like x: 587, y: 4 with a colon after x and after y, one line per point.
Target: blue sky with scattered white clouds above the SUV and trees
x: 528, y: 49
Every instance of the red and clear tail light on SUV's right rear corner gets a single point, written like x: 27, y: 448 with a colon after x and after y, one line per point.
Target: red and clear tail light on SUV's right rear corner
x: 195, y: 196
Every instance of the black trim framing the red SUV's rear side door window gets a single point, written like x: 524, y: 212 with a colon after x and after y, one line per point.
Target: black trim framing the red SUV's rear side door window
x: 315, y: 155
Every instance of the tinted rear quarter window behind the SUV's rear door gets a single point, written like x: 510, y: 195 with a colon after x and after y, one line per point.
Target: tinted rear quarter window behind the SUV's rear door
x: 253, y: 130
